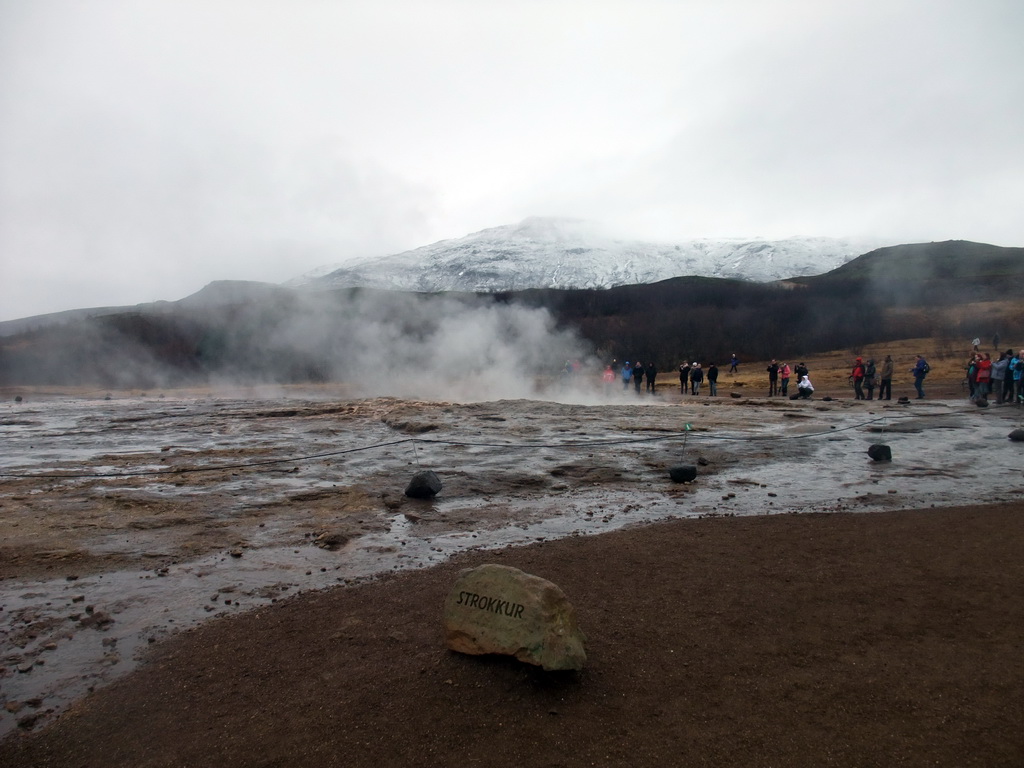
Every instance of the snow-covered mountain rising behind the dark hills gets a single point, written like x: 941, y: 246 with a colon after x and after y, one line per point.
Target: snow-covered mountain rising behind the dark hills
x: 573, y: 254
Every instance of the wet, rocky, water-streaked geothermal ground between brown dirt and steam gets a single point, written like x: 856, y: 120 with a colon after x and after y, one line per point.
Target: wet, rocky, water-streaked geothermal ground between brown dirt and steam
x: 126, y: 520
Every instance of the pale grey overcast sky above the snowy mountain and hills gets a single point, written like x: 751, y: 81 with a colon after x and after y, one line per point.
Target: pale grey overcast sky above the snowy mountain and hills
x: 148, y: 148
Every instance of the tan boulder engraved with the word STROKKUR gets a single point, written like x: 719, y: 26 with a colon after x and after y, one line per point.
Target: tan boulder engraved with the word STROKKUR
x: 500, y: 610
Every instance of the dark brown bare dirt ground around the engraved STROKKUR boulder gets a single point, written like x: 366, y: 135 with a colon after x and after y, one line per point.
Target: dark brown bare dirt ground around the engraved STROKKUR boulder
x: 884, y: 639
